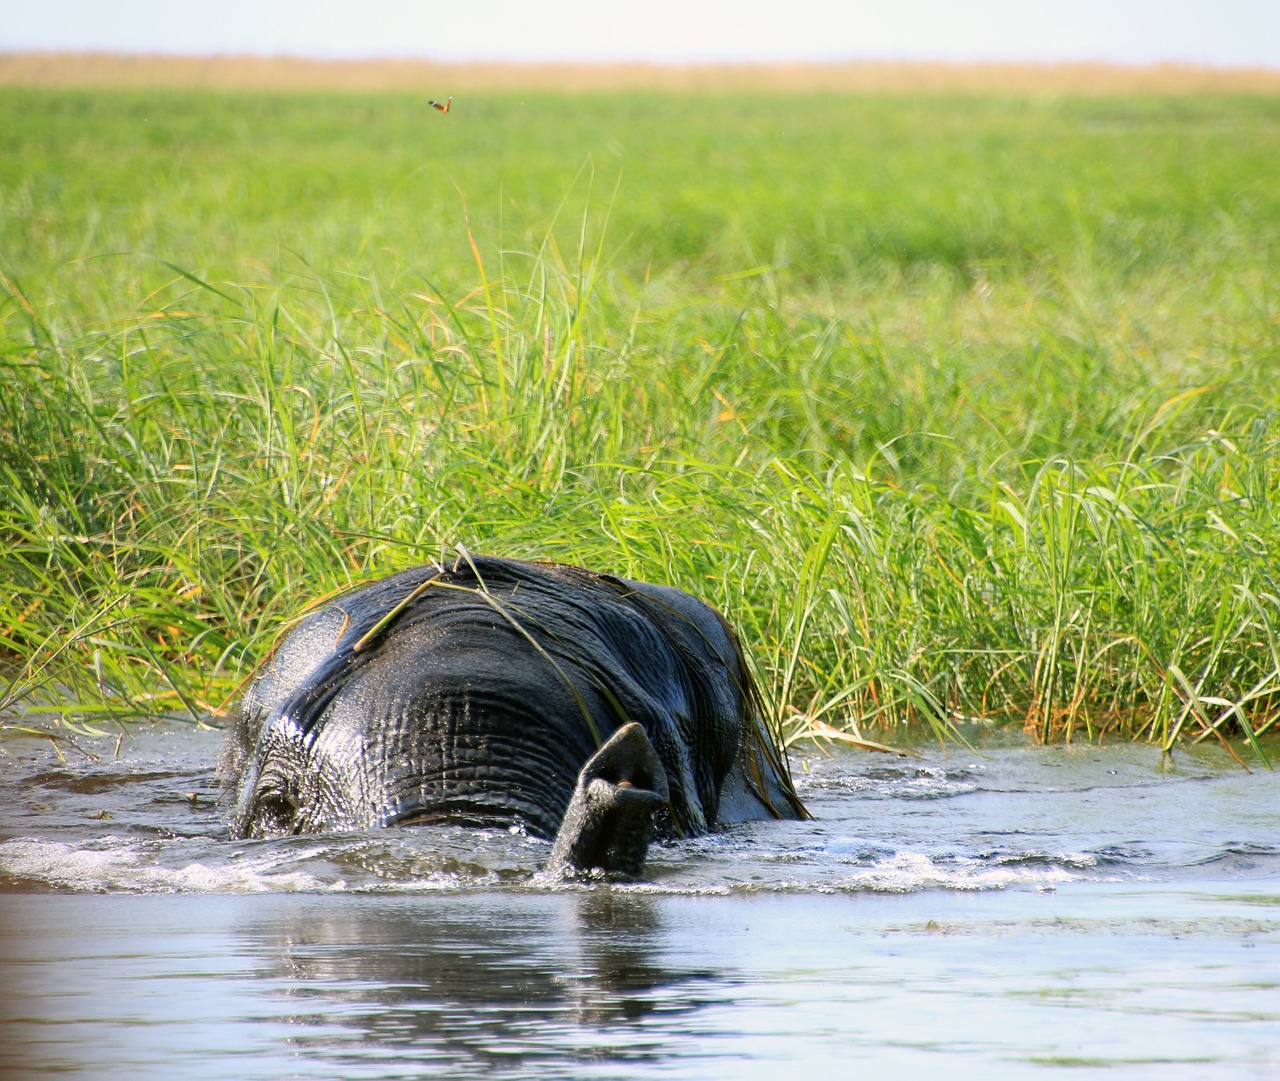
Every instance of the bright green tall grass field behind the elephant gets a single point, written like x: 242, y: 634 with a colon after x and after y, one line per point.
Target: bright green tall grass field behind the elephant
x: 958, y: 406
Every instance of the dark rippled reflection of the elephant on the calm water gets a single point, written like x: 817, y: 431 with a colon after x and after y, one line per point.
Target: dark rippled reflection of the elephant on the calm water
x: 479, y: 986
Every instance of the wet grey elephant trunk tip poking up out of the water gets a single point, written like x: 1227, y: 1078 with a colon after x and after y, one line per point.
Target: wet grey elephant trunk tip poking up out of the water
x: 610, y: 819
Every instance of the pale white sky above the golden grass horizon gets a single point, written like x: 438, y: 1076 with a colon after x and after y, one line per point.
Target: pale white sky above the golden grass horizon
x: 1215, y: 33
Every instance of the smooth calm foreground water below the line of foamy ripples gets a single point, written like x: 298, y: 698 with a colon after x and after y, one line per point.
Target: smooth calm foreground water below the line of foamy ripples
x: 601, y: 983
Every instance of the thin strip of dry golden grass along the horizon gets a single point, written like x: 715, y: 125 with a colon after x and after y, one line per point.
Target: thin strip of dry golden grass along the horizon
x: 285, y: 74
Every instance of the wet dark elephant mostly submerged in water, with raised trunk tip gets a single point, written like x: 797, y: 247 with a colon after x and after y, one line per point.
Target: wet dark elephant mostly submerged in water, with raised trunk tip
x: 592, y: 709
